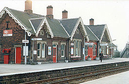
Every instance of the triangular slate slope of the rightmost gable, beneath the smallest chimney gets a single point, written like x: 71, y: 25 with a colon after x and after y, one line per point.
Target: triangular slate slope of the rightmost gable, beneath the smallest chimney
x: 97, y: 30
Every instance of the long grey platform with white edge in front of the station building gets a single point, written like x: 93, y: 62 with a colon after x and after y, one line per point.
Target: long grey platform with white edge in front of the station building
x: 11, y: 69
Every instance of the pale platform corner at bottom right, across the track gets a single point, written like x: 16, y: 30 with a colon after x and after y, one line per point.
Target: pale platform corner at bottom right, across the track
x: 120, y: 78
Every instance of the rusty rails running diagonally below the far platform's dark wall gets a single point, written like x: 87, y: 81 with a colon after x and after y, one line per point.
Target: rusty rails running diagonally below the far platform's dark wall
x: 67, y: 79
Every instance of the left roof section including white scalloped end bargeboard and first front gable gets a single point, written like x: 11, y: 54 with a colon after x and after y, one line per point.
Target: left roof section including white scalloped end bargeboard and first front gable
x: 32, y: 22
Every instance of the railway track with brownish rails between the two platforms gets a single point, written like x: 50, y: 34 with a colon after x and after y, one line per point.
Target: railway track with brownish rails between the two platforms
x: 80, y: 76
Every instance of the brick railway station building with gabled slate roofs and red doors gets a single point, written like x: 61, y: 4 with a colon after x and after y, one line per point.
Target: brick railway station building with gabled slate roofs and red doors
x: 30, y: 37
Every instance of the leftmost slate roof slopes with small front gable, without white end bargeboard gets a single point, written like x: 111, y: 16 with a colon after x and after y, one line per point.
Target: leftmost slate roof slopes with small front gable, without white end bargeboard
x: 24, y: 18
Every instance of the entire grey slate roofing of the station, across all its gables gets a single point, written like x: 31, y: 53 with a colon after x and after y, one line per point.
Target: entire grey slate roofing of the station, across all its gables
x: 60, y: 28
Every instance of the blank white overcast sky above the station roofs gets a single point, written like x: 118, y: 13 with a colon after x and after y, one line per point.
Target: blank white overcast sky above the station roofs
x: 113, y: 13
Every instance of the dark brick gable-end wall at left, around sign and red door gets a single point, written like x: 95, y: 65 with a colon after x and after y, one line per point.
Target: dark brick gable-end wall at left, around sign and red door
x: 7, y: 42
